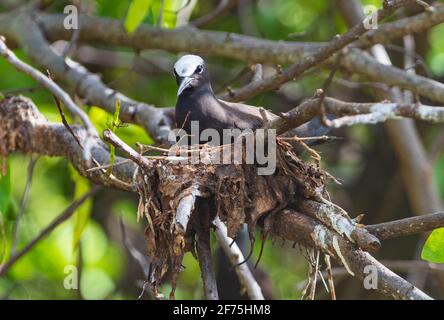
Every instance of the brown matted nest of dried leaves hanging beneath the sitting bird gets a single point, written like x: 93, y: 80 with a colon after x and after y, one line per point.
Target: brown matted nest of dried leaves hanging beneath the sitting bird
x: 236, y: 193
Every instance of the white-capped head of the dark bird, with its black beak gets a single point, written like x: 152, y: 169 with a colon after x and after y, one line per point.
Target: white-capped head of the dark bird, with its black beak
x: 190, y: 72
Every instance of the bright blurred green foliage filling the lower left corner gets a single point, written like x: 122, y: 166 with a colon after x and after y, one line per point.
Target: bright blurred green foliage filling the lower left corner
x: 39, y: 274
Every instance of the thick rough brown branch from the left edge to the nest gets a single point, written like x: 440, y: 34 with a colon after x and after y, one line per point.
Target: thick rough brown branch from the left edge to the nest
x: 23, y: 128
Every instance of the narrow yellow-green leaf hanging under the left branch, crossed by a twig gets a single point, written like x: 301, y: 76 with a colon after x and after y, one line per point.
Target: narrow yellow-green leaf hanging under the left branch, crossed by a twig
x: 82, y: 215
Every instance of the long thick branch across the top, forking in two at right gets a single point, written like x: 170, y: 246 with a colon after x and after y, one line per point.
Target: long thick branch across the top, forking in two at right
x: 245, y: 48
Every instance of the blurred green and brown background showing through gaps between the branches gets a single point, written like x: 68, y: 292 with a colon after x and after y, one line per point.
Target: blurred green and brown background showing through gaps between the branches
x: 363, y: 160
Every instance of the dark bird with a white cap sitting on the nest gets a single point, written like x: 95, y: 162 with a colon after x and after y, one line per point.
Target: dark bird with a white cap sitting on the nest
x: 197, y: 102
